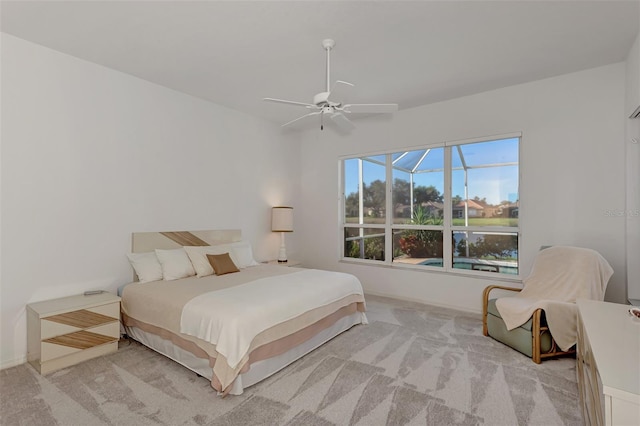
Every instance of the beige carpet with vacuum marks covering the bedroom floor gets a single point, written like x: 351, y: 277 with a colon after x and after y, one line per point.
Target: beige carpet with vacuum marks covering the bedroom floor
x: 412, y: 365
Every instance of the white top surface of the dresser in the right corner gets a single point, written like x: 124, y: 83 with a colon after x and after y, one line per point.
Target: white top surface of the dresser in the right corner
x: 614, y: 337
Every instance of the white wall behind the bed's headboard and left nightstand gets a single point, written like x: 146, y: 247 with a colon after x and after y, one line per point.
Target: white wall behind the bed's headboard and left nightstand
x: 90, y: 155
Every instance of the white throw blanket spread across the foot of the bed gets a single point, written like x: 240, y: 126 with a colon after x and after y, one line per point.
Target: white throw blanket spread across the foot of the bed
x: 231, y: 318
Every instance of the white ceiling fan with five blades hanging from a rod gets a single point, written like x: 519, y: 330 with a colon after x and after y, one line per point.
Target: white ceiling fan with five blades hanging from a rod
x: 330, y: 101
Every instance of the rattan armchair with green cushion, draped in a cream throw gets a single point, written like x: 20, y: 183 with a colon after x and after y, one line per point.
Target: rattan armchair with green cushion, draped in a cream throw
x: 540, y: 320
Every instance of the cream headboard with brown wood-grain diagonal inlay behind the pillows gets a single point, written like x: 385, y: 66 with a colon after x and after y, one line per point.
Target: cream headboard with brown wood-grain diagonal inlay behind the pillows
x: 142, y: 242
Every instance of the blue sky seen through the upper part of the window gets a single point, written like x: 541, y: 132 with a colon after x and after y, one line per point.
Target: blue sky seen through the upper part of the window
x: 496, y: 184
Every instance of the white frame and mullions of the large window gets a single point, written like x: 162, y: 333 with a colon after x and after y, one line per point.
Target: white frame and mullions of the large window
x: 447, y: 228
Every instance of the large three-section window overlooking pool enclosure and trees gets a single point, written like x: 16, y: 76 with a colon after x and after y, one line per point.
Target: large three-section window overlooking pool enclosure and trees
x: 453, y: 206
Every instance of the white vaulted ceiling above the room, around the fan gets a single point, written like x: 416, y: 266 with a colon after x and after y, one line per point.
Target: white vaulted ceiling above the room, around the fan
x: 234, y: 53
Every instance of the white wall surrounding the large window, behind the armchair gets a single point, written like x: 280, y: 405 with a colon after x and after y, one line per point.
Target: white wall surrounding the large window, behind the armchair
x: 572, y: 171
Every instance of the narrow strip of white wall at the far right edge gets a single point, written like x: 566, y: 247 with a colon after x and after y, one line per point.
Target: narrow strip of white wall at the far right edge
x: 632, y: 207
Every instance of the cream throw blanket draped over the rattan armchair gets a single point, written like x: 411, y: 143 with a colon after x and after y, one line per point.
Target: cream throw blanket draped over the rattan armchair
x: 560, y: 276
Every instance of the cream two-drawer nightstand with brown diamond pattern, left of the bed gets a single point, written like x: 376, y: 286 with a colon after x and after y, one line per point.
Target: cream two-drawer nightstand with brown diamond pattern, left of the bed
x: 63, y: 332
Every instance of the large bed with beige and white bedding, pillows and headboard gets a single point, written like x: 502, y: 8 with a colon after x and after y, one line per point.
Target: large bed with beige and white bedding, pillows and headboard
x: 237, y: 328
